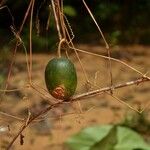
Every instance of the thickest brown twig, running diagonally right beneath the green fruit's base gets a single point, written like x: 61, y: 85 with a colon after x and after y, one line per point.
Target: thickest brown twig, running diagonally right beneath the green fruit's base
x: 73, y: 99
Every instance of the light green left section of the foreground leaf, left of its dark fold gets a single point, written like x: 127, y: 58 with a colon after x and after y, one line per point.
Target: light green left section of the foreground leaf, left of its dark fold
x: 85, y: 139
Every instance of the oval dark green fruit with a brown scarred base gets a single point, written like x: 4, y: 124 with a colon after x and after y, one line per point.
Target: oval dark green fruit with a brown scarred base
x: 61, y: 78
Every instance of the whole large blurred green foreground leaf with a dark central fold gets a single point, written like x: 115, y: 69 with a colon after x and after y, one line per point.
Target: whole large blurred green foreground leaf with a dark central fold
x: 107, y: 137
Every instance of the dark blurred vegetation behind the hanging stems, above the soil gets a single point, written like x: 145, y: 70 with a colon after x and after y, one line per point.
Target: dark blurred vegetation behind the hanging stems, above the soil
x: 122, y: 21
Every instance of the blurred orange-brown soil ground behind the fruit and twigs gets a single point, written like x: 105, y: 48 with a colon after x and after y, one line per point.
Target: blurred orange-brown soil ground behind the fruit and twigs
x: 62, y: 122
